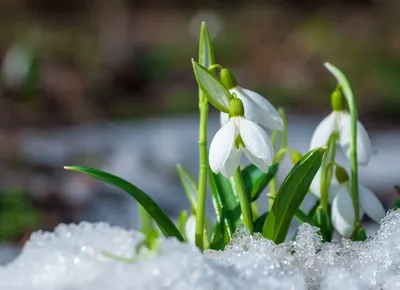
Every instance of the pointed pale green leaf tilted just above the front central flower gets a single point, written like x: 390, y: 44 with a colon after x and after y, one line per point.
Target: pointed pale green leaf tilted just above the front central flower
x: 214, y: 90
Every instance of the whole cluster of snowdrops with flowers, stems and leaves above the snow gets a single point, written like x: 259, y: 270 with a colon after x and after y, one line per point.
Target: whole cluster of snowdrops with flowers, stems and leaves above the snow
x: 245, y: 116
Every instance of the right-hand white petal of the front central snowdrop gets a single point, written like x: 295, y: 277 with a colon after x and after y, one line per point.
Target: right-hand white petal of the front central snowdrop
x: 258, y: 145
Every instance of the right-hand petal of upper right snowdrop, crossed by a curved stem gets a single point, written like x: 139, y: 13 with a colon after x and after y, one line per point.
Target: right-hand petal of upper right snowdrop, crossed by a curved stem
x: 364, y: 147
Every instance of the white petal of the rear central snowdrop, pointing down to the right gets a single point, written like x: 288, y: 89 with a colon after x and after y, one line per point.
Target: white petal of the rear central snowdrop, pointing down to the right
x: 258, y: 109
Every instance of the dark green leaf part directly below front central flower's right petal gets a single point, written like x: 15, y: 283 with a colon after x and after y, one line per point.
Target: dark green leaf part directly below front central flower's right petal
x: 255, y: 180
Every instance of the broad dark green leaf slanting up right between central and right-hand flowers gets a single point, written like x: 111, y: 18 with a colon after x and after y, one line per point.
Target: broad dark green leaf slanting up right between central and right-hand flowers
x: 291, y: 194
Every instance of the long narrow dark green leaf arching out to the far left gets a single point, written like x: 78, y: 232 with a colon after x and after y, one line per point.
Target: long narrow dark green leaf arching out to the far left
x: 163, y: 221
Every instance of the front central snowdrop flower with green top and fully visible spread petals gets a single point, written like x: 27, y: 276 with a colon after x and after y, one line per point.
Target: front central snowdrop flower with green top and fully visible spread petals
x: 239, y: 135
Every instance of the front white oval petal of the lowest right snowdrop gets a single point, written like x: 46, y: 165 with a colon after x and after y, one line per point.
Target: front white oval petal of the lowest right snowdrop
x: 343, y: 213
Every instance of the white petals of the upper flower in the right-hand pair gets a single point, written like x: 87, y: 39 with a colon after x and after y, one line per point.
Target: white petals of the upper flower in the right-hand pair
x: 340, y: 121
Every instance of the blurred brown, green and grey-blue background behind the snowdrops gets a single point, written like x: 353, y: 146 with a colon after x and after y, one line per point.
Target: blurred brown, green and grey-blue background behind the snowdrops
x: 109, y: 84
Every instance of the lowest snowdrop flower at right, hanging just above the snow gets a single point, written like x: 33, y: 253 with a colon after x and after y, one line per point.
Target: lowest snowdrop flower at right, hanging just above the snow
x: 342, y: 213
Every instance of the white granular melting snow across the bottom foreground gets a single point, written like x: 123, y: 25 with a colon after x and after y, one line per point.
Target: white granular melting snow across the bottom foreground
x: 71, y: 258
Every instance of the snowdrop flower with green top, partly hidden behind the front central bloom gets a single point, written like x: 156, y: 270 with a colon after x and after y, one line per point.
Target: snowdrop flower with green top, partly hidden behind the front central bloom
x: 256, y: 107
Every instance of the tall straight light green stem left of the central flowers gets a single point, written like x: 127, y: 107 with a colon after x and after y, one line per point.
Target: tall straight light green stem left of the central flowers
x: 201, y: 196
